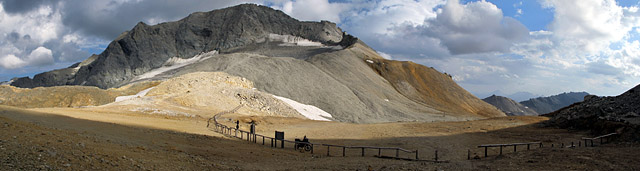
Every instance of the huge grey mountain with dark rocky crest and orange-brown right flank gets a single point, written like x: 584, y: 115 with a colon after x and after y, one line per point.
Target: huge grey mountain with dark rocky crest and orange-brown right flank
x: 312, y: 63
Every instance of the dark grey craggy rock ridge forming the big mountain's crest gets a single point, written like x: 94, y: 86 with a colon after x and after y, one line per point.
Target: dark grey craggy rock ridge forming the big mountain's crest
x: 146, y: 47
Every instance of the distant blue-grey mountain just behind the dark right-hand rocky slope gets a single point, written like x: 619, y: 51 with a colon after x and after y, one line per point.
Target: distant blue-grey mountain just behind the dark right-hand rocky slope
x: 544, y: 105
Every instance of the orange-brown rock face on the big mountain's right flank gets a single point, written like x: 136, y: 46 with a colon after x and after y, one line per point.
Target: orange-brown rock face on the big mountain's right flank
x: 427, y: 86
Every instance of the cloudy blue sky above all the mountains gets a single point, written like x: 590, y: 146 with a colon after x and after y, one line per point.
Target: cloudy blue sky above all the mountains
x: 504, y: 47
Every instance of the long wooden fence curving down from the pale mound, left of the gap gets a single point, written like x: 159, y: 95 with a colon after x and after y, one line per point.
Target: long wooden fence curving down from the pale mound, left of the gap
x: 273, y: 142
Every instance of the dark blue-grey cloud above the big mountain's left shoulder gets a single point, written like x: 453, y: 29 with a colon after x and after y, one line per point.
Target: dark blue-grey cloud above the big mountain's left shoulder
x: 107, y: 20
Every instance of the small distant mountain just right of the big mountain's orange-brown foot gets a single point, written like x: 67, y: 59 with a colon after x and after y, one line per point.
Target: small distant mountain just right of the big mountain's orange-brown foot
x: 510, y: 107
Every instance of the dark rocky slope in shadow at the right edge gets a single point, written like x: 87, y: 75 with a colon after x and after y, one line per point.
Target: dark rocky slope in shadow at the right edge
x: 603, y: 115
